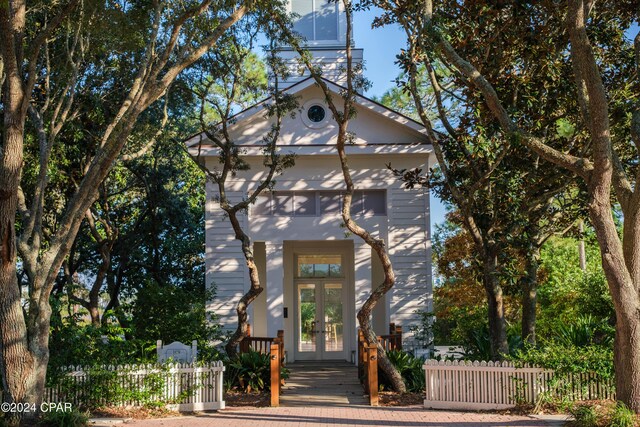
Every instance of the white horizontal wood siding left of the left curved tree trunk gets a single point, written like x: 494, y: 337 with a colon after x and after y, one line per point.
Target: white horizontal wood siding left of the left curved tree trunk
x: 225, y: 263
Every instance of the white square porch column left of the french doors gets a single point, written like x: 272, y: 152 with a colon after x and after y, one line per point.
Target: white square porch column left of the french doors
x: 275, y: 287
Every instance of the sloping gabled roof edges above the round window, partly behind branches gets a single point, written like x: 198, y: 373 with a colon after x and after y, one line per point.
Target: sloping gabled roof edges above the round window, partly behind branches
x: 360, y: 100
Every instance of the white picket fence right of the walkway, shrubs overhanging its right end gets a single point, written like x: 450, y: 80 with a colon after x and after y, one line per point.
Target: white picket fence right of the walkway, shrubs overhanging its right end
x: 489, y: 385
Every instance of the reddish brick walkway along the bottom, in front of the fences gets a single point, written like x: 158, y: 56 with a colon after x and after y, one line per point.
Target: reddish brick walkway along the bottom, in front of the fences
x: 343, y: 416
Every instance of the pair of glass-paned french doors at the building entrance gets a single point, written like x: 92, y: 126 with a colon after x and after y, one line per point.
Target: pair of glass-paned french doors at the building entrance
x: 320, y: 319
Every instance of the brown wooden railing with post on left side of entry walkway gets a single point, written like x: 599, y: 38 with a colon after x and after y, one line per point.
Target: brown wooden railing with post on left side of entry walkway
x: 274, y: 346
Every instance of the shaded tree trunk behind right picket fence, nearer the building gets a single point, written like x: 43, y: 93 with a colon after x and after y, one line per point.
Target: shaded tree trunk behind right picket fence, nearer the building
x: 497, y: 323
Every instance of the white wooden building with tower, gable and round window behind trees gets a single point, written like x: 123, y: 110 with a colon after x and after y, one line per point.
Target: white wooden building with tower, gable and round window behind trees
x: 315, y: 275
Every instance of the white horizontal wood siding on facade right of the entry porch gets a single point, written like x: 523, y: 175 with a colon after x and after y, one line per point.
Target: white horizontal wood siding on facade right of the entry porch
x: 410, y: 247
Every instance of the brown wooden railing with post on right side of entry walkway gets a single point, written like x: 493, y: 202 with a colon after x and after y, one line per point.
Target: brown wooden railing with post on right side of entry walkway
x: 368, y: 359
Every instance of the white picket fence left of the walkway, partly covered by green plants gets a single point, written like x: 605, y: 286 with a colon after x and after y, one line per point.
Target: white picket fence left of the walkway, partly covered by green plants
x: 182, y: 387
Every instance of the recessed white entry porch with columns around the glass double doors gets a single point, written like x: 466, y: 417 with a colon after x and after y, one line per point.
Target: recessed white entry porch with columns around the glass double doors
x: 313, y: 290
